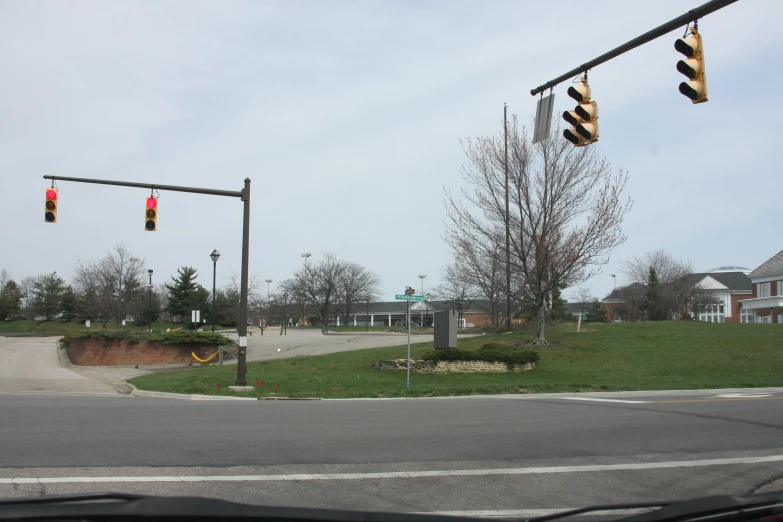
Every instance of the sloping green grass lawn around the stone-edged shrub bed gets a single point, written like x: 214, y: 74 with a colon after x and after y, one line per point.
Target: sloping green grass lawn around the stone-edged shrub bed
x: 609, y: 357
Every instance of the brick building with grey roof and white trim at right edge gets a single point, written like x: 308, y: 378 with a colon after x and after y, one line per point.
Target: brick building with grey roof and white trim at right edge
x: 765, y: 304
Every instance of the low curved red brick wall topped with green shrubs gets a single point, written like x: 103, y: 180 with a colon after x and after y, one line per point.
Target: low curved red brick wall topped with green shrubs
x: 91, y: 352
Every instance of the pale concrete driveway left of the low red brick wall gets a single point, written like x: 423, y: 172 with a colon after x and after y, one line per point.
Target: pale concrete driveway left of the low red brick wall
x: 32, y: 364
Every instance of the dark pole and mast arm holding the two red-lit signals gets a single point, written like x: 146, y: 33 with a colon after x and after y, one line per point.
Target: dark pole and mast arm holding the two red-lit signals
x: 244, y: 195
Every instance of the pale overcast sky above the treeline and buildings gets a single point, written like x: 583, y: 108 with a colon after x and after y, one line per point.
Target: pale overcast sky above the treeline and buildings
x: 346, y: 117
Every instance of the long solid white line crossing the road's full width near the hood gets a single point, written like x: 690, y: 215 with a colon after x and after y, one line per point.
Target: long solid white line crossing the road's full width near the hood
x: 398, y: 474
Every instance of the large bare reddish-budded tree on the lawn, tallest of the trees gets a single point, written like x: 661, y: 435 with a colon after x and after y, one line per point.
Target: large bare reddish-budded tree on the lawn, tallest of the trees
x: 565, y: 211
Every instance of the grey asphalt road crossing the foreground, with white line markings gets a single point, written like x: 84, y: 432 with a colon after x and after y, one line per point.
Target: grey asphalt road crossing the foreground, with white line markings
x: 489, y: 456
